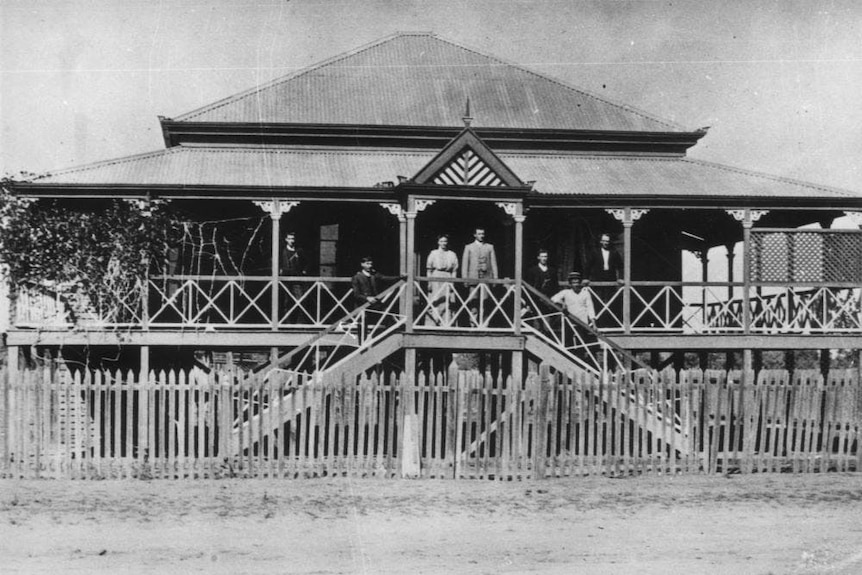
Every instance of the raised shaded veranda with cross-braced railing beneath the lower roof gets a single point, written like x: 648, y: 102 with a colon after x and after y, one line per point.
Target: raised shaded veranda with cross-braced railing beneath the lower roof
x: 798, y: 286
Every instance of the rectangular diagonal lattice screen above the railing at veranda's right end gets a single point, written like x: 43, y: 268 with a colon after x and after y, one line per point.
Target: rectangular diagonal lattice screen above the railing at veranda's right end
x: 806, y: 256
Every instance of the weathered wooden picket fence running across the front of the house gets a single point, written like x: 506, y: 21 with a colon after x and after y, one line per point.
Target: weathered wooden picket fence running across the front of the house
x: 74, y: 424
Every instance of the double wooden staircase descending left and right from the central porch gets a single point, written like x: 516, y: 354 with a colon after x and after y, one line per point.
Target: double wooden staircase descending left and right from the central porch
x: 366, y: 337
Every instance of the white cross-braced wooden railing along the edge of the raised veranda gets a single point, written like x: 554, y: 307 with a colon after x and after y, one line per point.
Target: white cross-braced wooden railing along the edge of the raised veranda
x: 245, y: 302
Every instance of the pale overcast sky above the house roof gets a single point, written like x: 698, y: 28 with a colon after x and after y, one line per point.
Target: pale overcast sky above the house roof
x: 778, y: 82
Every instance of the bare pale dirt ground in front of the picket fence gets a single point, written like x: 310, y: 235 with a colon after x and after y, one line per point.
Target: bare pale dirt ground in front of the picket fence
x: 695, y: 524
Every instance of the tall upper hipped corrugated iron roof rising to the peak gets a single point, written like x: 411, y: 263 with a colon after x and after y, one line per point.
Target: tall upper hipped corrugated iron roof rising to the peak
x: 419, y: 79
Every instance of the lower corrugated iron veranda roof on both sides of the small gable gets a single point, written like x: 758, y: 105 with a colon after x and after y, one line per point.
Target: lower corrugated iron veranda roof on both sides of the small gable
x: 554, y: 174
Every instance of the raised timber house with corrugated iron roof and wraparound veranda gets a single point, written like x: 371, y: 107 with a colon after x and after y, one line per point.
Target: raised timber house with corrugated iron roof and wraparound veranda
x: 275, y: 195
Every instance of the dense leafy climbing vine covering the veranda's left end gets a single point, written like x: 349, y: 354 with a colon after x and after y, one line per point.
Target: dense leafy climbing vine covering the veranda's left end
x: 95, y: 250
